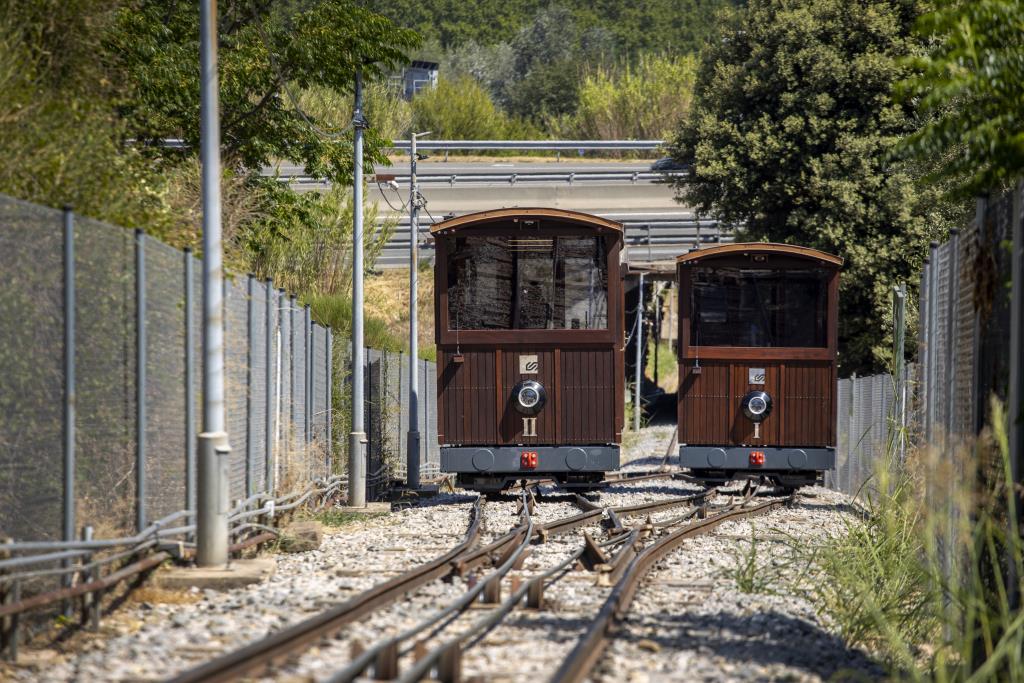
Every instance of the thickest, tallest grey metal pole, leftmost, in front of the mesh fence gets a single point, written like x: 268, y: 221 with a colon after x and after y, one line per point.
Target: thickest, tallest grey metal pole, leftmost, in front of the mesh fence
x: 211, y: 522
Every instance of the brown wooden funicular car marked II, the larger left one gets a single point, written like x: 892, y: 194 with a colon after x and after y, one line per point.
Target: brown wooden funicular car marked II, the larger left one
x: 529, y: 314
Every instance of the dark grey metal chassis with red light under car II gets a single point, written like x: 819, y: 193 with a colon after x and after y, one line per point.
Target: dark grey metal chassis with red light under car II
x: 496, y: 468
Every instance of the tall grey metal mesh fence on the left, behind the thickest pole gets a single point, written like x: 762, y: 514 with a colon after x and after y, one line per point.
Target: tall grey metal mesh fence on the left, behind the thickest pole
x: 133, y: 313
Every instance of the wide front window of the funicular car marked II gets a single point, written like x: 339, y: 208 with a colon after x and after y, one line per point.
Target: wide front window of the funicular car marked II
x: 500, y: 283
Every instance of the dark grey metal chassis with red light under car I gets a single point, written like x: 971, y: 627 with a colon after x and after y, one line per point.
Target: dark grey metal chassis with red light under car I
x: 791, y: 467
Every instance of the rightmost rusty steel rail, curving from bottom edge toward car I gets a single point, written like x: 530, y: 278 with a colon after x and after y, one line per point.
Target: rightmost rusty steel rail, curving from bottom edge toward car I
x: 591, y: 647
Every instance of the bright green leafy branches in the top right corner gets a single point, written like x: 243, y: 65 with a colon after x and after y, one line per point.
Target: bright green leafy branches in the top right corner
x: 970, y: 91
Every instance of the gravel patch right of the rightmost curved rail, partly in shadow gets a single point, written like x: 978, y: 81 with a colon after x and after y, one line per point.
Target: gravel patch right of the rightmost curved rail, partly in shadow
x: 715, y: 611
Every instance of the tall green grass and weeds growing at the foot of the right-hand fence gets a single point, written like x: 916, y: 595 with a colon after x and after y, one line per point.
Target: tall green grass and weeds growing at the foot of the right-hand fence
x: 888, y: 588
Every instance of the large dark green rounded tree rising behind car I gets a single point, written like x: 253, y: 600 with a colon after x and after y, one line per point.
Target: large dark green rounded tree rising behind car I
x: 791, y: 137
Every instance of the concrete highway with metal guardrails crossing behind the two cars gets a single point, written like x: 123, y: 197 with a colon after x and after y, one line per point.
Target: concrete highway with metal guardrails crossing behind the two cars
x: 658, y: 229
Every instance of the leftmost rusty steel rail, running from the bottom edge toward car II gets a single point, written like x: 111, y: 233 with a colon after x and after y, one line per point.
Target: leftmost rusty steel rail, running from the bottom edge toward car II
x: 281, y: 646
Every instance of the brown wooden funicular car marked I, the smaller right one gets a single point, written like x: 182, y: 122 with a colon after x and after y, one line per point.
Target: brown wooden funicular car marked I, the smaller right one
x: 757, y: 363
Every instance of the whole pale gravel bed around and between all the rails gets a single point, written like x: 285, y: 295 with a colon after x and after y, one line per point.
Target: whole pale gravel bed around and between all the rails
x: 700, y: 616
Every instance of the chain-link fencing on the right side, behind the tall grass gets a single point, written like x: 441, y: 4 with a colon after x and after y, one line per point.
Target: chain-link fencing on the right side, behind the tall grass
x: 967, y: 378
